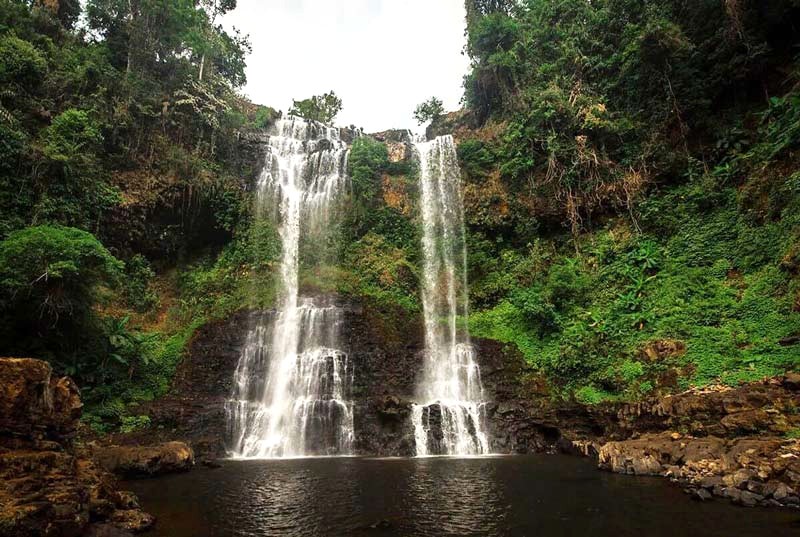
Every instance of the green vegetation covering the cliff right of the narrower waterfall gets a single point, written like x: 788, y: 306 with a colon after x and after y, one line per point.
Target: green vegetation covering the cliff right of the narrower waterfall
x: 632, y: 197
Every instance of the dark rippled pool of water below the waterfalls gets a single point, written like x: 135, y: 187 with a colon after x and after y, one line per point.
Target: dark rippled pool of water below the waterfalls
x: 541, y: 496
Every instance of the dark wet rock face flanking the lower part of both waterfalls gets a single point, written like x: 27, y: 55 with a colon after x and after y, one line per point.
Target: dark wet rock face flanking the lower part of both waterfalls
x: 385, y: 348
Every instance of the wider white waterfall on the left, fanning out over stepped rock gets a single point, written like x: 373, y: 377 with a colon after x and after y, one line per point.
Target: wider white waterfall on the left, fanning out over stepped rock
x: 291, y: 395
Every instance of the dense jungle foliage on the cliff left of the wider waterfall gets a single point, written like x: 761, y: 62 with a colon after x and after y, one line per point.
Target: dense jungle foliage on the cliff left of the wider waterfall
x: 121, y: 165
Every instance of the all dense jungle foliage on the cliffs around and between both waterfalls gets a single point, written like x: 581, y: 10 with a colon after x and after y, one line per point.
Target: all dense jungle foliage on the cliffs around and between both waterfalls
x: 631, y: 177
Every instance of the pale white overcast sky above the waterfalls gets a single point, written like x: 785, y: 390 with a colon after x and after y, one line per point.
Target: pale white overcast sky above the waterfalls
x: 382, y: 57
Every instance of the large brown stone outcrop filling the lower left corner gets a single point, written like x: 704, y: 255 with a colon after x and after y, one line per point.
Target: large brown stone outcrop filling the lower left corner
x: 48, y: 486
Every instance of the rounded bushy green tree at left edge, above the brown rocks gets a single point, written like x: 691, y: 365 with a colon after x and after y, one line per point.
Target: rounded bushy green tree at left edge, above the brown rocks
x: 52, y: 279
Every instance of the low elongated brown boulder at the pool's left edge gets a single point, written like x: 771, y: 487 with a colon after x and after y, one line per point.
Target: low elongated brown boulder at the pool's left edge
x: 145, y: 461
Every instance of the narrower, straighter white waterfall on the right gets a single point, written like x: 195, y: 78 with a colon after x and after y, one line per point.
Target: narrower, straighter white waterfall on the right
x: 451, y: 418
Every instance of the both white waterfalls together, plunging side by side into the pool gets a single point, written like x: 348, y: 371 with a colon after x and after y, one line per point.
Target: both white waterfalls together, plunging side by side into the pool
x: 292, y: 394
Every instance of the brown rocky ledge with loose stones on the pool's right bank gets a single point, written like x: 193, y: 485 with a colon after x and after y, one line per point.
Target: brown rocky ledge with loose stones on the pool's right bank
x: 726, y: 442
